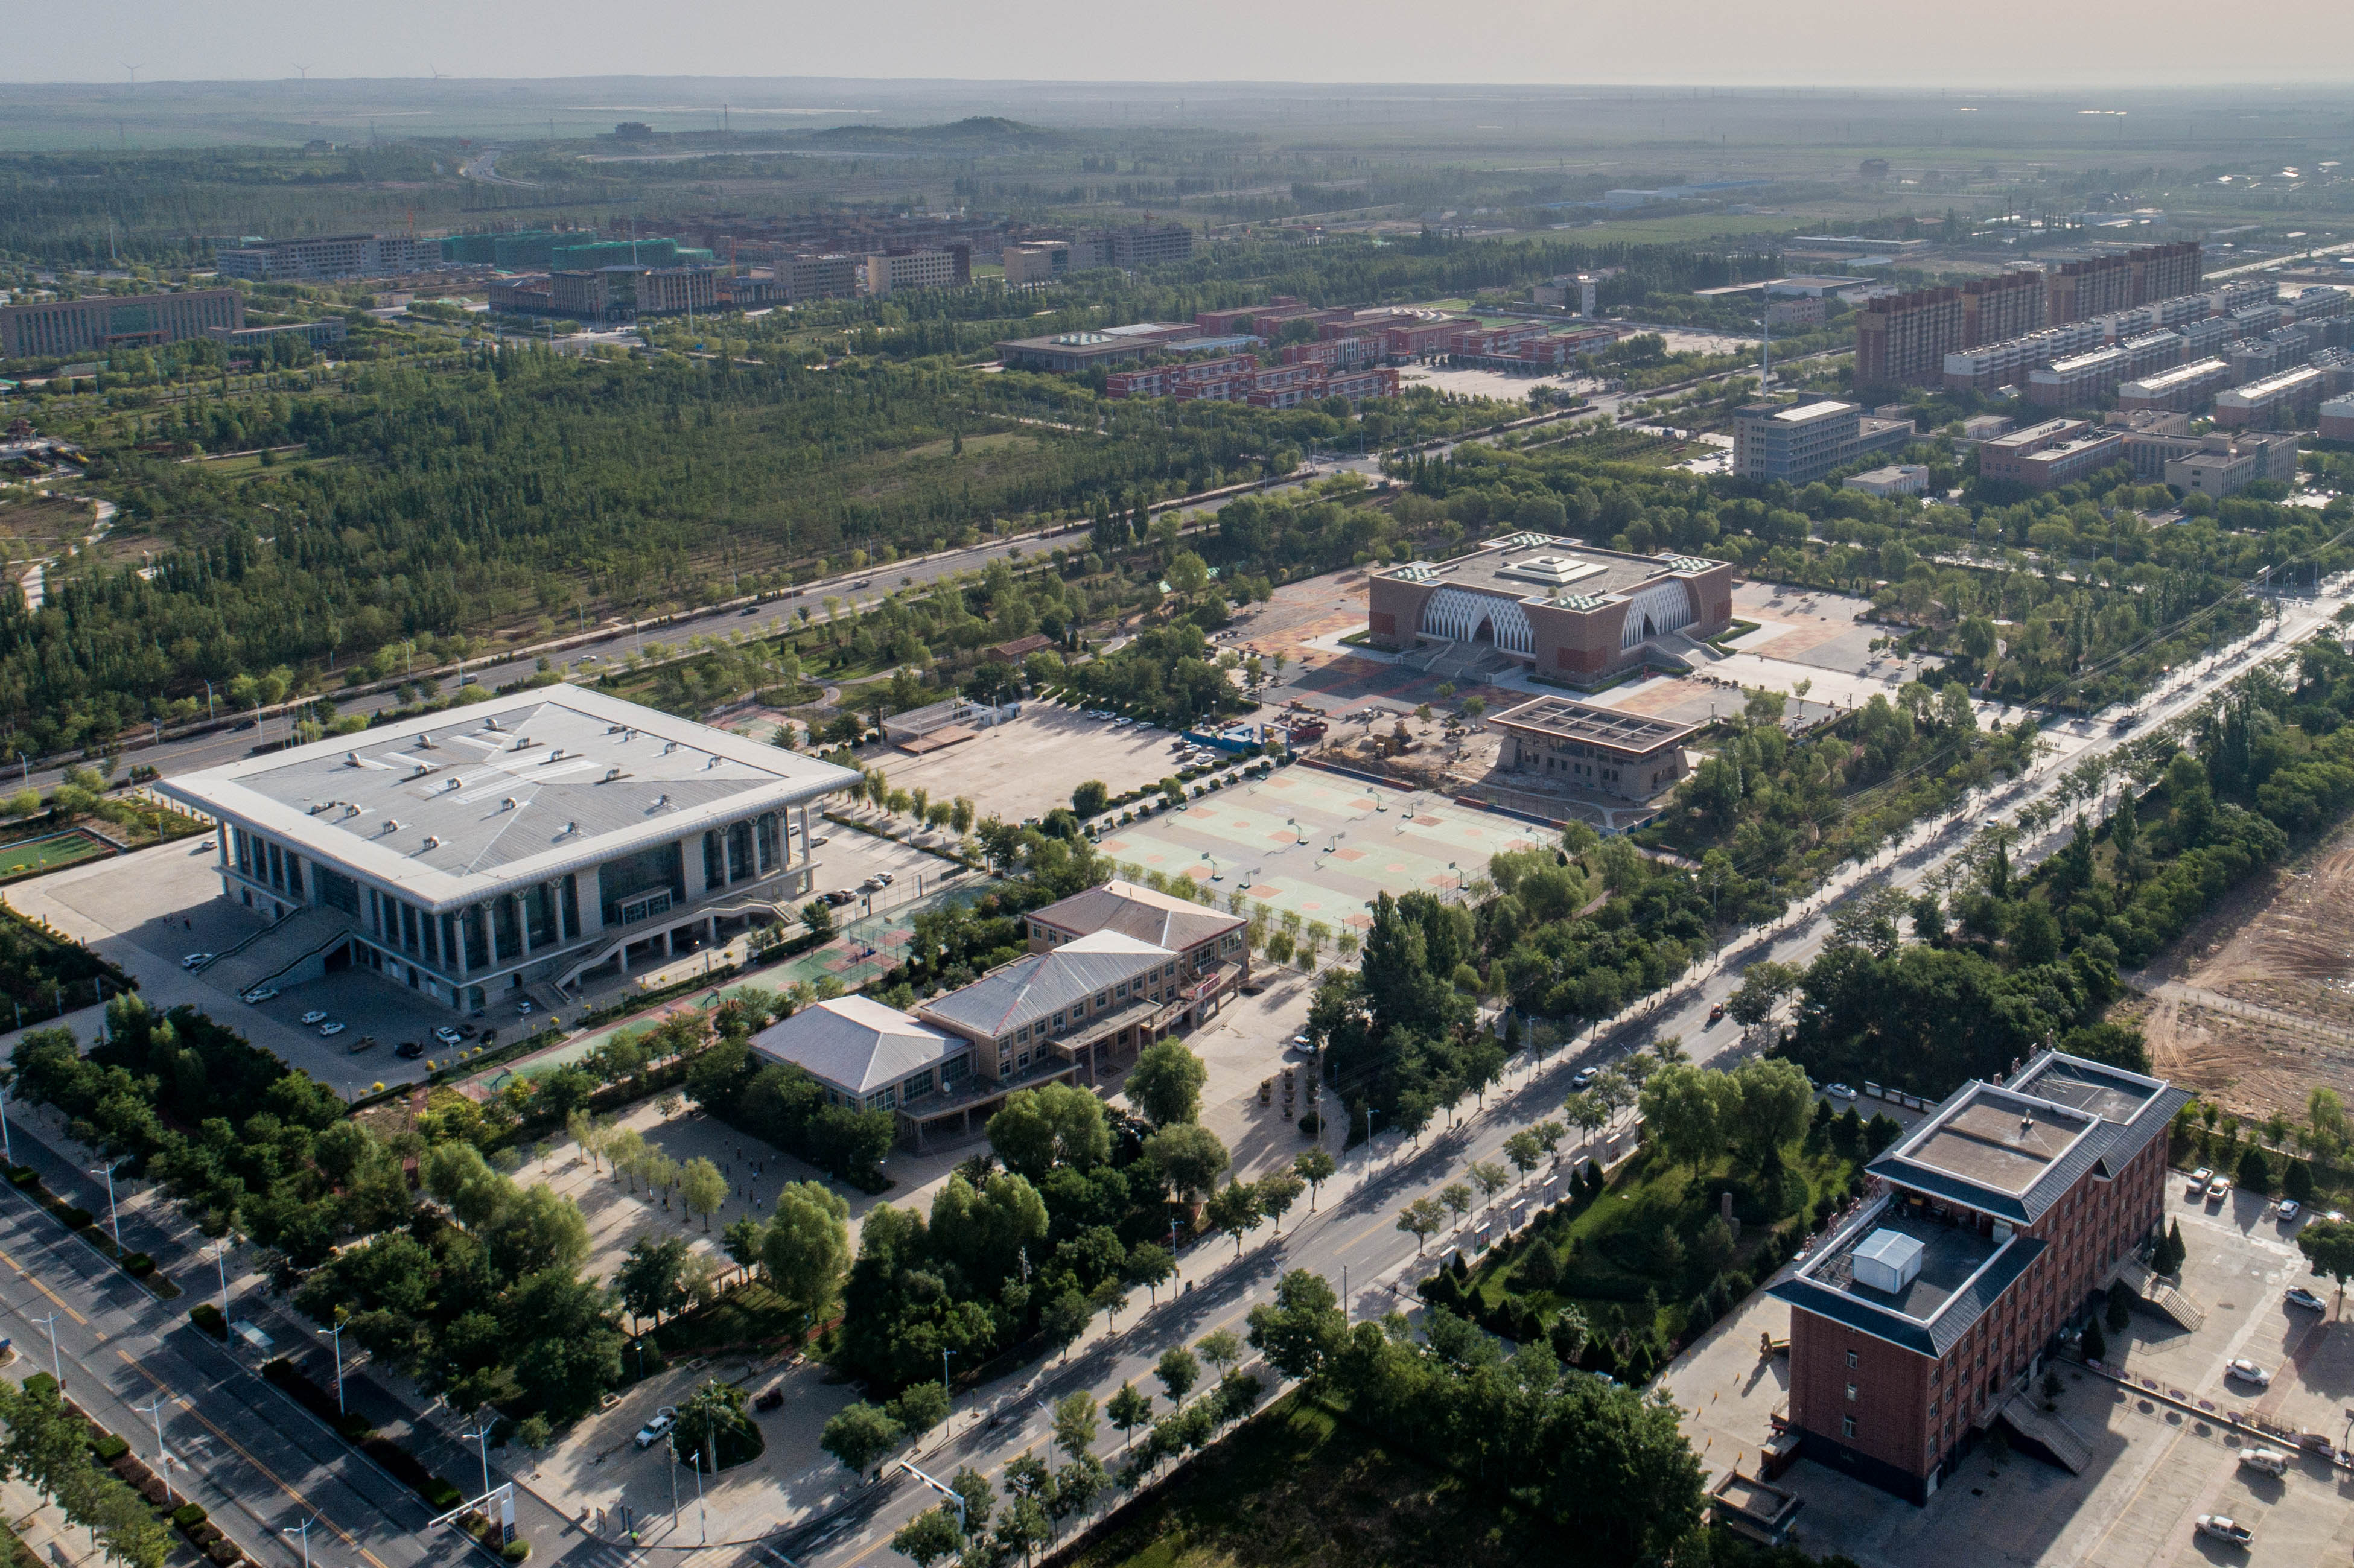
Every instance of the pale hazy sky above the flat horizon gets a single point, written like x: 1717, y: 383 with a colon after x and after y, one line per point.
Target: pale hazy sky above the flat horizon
x: 1303, y: 41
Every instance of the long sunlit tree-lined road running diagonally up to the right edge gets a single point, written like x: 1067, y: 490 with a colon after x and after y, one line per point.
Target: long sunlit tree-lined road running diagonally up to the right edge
x: 1355, y: 1233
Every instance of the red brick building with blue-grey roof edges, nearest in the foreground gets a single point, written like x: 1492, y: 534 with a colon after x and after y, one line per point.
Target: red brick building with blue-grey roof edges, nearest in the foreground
x: 1997, y: 1221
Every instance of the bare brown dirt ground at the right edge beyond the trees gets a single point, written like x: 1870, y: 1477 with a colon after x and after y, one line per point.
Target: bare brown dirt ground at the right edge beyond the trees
x: 2256, y: 1004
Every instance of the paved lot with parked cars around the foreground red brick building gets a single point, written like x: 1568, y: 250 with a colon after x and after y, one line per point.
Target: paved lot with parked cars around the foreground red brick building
x: 2162, y: 1447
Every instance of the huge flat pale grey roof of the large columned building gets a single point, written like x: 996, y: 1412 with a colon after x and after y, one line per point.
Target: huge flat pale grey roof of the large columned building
x: 458, y: 806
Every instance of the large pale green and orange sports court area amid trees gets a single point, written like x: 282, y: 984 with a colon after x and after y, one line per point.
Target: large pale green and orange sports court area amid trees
x: 1324, y: 844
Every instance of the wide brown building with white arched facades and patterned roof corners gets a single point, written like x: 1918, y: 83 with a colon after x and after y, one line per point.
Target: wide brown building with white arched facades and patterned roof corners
x: 1555, y: 606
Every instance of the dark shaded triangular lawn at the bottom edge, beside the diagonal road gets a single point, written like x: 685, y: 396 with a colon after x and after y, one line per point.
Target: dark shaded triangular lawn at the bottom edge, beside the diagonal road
x: 1305, y: 1489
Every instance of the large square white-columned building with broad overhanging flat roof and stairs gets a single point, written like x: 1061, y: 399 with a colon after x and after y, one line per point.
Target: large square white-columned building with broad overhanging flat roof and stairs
x: 528, y: 839
